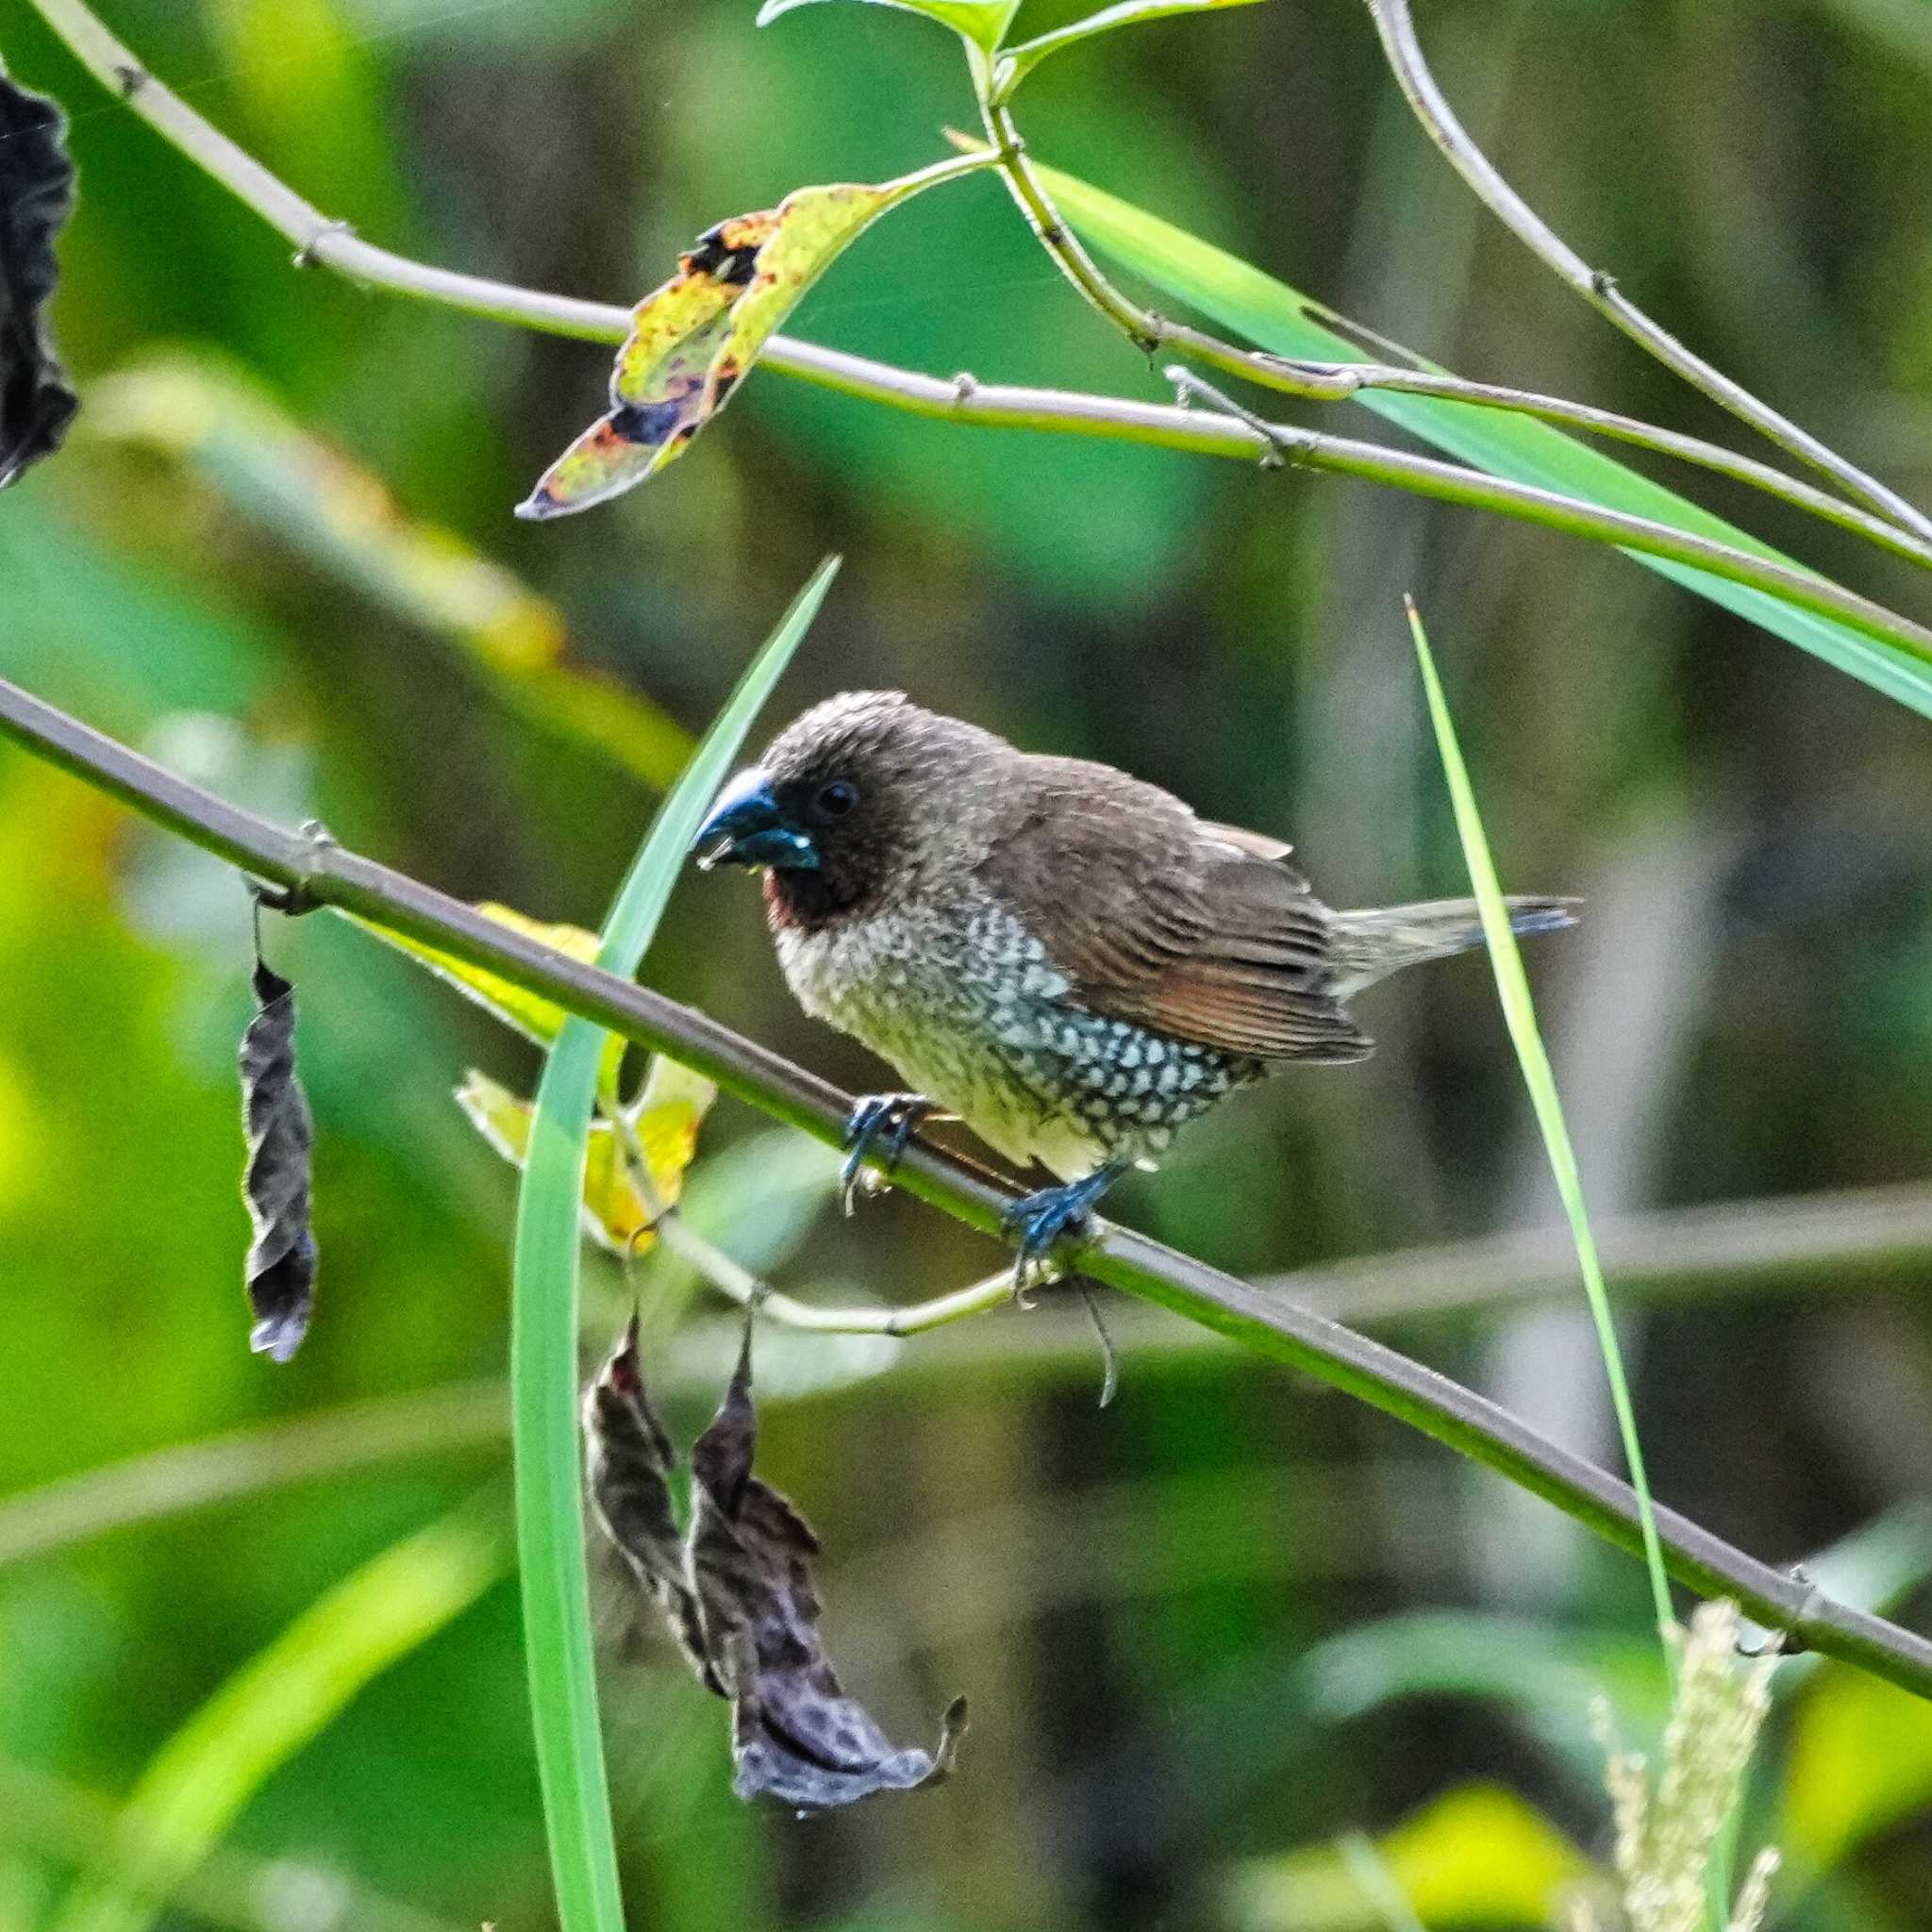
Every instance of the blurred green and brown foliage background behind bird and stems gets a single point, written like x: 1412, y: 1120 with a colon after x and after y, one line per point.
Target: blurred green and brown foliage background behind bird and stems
x: 1234, y: 1630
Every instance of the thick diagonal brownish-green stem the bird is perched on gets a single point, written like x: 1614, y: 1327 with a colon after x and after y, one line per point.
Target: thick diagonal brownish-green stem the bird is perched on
x: 1463, y: 1421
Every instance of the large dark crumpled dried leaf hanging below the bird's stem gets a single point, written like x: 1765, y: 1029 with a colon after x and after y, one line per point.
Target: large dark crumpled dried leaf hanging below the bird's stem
x: 739, y: 1599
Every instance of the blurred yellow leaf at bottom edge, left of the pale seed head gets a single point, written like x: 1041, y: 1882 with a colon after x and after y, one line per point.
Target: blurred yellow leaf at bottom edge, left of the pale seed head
x: 1479, y: 1856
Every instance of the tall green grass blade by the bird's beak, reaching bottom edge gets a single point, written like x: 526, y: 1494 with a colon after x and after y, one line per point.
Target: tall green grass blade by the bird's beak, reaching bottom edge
x: 544, y: 1334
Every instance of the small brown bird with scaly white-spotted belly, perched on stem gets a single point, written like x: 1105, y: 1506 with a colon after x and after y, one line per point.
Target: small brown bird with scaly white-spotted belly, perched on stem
x: 1062, y: 955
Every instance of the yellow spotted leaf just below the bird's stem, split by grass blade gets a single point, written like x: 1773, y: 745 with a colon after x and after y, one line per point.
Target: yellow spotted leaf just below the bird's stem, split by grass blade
x: 664, y: 1122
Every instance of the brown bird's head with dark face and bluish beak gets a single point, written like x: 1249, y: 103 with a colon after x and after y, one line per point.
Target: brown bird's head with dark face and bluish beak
x: 853, y: 803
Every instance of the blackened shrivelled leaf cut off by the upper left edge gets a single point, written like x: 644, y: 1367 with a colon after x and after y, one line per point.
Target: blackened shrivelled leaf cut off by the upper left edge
x: 36, y: 198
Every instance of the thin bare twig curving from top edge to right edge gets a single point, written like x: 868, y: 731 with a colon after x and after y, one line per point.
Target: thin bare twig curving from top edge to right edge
x: 1398, y: 32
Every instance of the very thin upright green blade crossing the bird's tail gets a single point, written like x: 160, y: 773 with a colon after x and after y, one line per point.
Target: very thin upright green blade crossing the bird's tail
x: 1520, y: 1013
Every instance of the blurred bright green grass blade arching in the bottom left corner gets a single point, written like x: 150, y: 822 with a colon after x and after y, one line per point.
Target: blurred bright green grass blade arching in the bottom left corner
x: 200, y: 1782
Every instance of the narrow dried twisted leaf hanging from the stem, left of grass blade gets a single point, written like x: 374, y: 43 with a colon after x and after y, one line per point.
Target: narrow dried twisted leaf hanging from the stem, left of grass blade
x: 275, y: 1181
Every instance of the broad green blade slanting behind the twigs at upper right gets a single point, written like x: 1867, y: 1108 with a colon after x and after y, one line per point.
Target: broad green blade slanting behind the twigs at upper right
x: 1498, y: 441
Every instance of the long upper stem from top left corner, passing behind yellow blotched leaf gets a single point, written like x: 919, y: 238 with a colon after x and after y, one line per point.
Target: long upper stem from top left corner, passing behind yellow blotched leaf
x: 335, y: 246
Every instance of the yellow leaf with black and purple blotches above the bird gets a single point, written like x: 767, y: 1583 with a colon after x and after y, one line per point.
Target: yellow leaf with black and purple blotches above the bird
x: 695, y: 339
